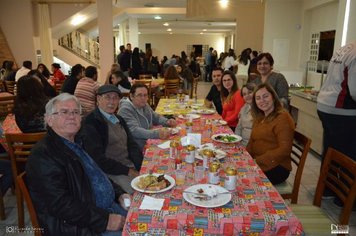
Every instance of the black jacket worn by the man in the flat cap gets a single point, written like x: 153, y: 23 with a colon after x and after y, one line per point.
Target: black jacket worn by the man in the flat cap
x: 95, y: 134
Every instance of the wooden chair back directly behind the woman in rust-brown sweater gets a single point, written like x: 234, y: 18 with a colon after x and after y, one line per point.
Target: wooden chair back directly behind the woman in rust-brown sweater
x: 300, y: 149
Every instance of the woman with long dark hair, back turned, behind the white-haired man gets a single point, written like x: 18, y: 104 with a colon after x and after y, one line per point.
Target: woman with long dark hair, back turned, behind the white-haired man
x: 30, y: 104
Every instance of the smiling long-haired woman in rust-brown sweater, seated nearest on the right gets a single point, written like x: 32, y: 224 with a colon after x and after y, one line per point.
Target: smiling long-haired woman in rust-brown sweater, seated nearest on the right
x: 272, y: 134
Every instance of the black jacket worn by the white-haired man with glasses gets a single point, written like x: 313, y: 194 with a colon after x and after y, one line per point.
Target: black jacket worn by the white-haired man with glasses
x: 61, y: 191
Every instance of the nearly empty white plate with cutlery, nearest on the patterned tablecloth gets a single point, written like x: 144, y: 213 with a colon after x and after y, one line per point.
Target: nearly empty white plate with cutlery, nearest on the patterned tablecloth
x: 217, y: 201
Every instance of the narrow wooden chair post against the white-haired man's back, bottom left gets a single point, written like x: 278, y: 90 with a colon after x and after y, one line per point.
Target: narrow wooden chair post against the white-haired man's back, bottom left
x: 21, y: 182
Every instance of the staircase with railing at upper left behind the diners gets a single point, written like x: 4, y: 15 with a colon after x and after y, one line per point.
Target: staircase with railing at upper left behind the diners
x: 82, y: 46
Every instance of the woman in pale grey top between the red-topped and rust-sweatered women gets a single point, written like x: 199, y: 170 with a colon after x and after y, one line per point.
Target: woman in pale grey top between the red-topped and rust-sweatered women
x: 244, y: 127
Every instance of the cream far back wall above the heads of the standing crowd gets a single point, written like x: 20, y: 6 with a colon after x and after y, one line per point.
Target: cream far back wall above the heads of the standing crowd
x: 169, y: 44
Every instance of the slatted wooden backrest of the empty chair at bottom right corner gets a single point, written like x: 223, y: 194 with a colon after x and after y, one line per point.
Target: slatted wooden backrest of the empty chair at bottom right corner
x: 338, y: 173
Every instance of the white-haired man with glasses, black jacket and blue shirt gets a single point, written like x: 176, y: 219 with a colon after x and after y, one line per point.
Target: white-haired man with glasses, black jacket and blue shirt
x: 71, y: 195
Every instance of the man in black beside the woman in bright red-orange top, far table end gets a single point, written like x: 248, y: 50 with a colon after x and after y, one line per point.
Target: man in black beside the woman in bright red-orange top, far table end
x: 214, y: 96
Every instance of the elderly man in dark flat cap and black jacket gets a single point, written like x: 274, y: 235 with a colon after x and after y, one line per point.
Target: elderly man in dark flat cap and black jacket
x: 109, y: 141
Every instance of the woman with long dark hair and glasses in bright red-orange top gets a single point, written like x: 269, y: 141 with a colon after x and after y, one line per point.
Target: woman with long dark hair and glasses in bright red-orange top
x: 232, y: 99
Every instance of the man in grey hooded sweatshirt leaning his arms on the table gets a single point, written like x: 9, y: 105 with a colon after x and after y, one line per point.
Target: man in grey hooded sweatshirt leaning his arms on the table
x: 140, y: 117
